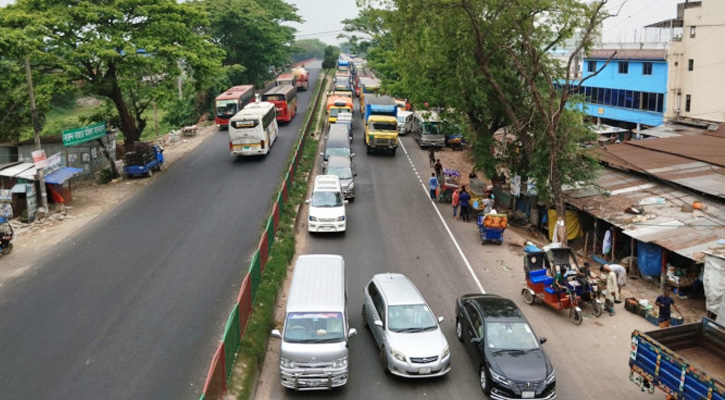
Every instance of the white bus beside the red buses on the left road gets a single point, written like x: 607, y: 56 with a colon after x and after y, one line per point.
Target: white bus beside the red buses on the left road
x: 253, y: 130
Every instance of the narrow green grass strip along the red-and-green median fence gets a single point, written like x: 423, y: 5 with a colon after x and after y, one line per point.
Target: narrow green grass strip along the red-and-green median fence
x: 254, y: 342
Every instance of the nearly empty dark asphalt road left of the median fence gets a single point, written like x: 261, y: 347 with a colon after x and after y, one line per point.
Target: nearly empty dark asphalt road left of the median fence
x: 134, y: 306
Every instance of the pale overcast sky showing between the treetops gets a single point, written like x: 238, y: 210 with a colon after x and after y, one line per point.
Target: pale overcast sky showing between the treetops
x: 323, y: 17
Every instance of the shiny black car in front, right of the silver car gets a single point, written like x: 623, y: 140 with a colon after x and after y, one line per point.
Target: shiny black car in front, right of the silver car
x: 499, y: 339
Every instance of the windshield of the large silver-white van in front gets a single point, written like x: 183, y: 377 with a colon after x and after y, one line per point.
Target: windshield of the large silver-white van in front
x: 312, y: 327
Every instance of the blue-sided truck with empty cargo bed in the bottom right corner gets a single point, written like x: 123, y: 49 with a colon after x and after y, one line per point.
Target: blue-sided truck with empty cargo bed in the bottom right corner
x: 686, y: 361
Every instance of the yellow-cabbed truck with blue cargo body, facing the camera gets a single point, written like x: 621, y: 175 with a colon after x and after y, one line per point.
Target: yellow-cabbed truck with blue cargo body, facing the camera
x: 381, y: 125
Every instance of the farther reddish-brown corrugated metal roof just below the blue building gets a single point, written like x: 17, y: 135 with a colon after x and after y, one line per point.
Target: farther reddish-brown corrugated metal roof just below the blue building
x: 700, y: 176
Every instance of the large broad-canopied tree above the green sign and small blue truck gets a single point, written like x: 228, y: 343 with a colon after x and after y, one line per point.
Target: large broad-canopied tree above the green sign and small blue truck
x: 129, y: 51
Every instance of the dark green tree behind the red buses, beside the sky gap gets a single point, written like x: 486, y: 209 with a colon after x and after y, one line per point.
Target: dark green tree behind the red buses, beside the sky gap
x: 253, y: 33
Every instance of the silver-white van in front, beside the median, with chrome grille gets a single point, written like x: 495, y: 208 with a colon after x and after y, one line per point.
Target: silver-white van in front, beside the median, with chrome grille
x: 314, y: 349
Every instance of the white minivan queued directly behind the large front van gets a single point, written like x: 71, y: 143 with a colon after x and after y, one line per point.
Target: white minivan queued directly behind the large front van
x: 327, y: 206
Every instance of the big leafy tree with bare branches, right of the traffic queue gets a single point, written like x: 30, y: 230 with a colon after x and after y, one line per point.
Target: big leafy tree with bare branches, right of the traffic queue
x: 489, y: 59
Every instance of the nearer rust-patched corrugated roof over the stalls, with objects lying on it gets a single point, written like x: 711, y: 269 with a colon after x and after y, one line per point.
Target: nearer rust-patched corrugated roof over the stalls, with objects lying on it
x: 688, y: 233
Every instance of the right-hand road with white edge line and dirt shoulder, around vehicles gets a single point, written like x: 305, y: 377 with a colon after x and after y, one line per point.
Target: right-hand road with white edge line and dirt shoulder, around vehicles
x: 393, y: 226
